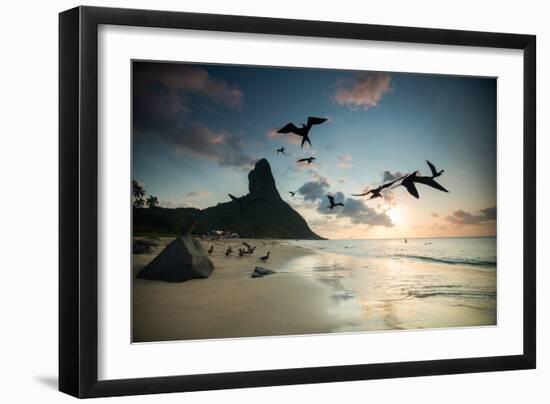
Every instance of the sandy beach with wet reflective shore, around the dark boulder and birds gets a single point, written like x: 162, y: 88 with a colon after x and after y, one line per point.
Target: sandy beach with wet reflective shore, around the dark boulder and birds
x: 313, y: 292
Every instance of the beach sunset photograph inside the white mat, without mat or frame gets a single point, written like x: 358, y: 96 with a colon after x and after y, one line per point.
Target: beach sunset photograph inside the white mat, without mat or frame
x: 276, y: 201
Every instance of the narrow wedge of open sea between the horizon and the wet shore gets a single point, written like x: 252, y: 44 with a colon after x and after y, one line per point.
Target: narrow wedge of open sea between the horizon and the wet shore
x: 477, y: 252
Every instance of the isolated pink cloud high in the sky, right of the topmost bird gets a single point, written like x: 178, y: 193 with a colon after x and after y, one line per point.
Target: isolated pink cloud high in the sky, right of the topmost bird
x: 364, y: 92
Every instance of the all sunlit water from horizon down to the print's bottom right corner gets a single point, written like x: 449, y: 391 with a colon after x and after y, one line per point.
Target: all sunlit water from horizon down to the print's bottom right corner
x: 390, y: 284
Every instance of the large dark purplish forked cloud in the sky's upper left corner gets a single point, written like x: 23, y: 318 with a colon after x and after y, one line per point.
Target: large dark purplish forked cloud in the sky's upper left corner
x: 161, y: 109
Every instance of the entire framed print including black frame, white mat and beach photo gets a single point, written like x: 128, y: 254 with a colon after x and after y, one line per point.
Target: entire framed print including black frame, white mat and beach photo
x: 250, y: 201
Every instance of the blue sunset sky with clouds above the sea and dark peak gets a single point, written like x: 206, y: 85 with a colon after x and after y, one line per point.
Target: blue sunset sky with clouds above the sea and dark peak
x: 199, y: 128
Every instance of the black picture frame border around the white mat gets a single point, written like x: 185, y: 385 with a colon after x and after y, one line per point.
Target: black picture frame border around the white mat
x: 78, y: 196
